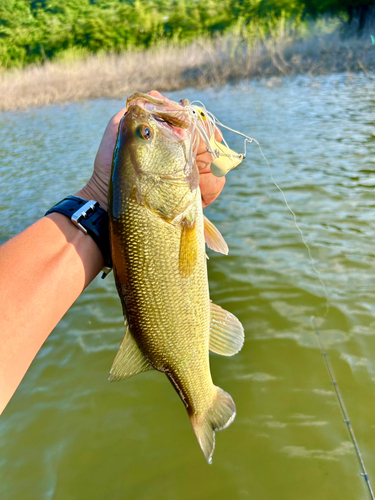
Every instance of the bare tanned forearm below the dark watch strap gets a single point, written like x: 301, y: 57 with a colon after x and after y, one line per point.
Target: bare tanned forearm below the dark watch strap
x: 42, y: 272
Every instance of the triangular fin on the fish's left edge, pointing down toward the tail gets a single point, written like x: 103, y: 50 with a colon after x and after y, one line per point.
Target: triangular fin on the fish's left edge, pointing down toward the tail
x: 129, y: 360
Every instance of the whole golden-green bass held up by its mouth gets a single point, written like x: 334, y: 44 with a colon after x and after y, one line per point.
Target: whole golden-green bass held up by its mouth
x: 158, y: 239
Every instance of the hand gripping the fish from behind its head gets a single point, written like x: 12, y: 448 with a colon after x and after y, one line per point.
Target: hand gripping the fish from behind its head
x: 97, y: 187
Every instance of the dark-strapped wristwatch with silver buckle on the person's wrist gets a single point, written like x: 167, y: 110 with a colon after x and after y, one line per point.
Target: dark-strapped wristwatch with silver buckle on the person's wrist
x: 90, y: 218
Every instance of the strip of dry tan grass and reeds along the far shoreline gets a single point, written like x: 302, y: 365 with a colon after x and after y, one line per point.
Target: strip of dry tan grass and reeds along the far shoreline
x: 279, y: 50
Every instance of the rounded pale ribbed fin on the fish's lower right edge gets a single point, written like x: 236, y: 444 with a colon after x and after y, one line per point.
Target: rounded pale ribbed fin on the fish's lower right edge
x: 226, y: 332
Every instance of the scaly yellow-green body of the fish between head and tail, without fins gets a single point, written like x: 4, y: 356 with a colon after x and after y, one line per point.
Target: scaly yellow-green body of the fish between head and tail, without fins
x: 168, y: 314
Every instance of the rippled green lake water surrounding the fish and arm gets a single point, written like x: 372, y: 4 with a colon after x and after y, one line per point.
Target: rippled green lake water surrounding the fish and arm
x: 69, y: 434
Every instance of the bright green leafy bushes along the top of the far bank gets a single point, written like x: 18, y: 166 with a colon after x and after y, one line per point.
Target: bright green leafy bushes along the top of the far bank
x: 32, y: 31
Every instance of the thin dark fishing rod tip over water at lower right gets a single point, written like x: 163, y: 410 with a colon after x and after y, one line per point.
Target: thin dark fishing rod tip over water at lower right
x: 342, y: 405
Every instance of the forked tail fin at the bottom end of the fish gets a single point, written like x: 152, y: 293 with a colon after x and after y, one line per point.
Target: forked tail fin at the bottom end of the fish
x: 217, y: 417
